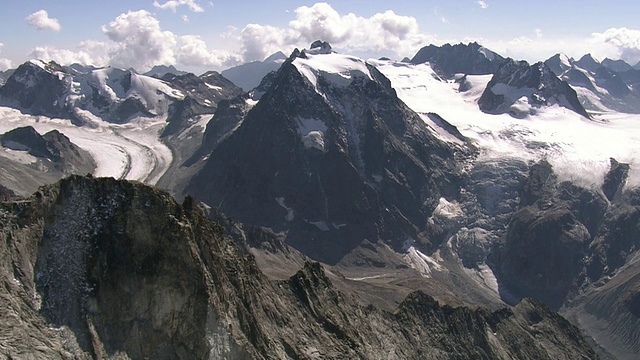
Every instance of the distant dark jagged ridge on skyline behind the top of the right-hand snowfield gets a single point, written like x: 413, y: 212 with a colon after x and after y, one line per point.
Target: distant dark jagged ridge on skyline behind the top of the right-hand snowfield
x: 470, y: 59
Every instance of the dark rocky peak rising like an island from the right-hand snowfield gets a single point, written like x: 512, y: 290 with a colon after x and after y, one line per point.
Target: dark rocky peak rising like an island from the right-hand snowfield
x: 516, y: 80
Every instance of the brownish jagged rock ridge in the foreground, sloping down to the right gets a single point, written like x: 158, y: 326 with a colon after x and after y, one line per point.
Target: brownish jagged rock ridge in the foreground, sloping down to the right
x: 113, y: 269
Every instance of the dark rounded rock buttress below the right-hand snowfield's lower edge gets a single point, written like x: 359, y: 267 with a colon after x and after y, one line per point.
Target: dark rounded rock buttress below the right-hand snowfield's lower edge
x: 544, y: 246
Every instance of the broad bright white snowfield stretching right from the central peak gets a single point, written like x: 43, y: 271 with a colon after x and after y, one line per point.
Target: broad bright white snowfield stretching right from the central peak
x: 578, y: 148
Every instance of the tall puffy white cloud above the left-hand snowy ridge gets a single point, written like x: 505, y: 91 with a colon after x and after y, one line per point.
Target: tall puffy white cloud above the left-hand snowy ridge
x: 139, y: 41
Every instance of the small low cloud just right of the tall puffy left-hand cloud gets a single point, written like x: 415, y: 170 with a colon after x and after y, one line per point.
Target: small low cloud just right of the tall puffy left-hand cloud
x: 192, y: 51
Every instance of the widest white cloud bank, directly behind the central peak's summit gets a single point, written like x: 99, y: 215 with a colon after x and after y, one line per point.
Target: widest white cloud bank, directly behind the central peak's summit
x: 384, y: 32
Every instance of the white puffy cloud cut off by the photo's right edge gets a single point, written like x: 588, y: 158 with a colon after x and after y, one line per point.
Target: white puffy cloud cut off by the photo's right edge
x: 623, y: 42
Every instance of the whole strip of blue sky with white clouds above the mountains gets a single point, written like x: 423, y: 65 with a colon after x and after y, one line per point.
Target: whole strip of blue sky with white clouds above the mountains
x: 199, y: 35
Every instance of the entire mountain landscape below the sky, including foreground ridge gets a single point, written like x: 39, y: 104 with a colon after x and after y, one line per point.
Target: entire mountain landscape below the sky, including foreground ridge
x: 352, y: 205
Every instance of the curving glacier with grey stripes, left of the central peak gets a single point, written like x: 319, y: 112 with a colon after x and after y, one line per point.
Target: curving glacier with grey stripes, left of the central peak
x: 131, y: 151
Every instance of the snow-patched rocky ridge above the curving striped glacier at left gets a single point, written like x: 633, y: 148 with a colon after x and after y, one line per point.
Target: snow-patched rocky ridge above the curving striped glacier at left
x: 113, y: 94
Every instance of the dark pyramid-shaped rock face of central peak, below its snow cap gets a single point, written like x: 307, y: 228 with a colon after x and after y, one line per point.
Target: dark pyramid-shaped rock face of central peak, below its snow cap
x: 353, y: 164
